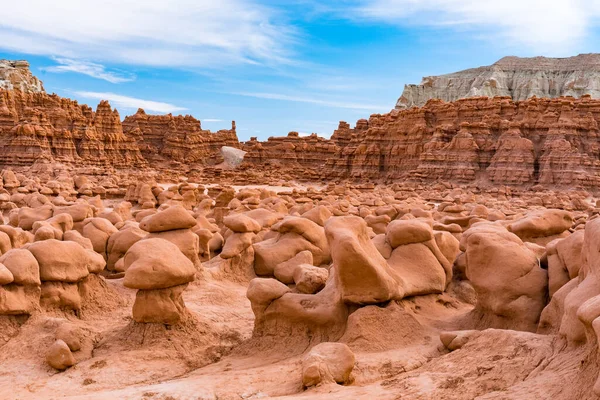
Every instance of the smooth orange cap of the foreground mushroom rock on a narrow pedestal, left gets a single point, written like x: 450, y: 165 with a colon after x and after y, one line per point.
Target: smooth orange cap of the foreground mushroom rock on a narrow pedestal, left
x: 156, y: 264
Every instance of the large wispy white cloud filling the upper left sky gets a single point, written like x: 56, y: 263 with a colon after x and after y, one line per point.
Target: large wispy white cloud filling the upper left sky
x: 156, y: 32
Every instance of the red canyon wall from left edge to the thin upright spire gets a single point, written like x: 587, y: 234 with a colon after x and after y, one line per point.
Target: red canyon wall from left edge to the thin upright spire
x: 38, y: 127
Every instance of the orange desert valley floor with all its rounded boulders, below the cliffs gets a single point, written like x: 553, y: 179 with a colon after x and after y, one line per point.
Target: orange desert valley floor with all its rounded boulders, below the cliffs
x: 189, y: 291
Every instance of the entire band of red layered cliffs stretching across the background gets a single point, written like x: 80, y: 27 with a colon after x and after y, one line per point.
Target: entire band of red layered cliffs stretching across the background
x: 480, y: 140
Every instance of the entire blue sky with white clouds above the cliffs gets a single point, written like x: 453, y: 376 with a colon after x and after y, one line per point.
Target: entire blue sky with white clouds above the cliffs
x: 276, y: 66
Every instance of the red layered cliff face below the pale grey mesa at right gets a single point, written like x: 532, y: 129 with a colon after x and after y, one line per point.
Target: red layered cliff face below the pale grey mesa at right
x: 495, y: 140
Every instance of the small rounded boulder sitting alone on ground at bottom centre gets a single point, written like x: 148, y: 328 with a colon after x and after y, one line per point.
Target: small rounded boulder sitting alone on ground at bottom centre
x: 328, y: 363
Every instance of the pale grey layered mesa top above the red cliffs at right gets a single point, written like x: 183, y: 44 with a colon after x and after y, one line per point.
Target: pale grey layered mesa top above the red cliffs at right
x: 519, y: 78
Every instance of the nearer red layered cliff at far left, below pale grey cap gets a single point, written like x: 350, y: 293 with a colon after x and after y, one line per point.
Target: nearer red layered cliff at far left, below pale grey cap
x: 38, y: 126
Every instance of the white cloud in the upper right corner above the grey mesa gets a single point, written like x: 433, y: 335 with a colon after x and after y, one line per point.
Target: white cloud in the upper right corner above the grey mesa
x: 548, y: 27
